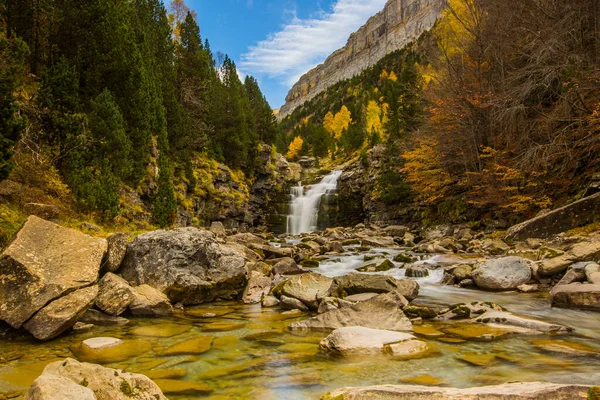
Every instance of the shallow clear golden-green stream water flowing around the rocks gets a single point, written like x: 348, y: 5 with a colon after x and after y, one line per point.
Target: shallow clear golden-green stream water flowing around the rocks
x: 274, y: 363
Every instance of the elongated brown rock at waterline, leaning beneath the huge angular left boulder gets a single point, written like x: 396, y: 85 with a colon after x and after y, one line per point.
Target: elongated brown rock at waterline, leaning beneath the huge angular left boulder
x: 61, y: 314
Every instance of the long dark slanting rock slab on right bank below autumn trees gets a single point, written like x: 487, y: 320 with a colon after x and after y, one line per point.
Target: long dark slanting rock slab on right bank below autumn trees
x: 578, y: 213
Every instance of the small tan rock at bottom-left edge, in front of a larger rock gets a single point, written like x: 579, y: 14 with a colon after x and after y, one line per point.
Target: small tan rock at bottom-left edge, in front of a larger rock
x: 52, y: 387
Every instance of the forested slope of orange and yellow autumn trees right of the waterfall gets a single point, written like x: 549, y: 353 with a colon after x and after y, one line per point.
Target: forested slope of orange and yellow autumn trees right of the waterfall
x: 495, y: 113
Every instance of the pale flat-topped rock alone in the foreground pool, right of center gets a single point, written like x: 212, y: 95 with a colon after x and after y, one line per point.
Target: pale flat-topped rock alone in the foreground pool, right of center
x: 356, y: 340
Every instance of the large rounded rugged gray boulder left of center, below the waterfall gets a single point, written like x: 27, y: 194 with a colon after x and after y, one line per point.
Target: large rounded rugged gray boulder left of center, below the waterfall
x: 189, y: 265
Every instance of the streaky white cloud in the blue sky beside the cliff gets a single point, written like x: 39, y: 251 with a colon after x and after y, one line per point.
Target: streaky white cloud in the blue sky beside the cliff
x: 304, y: 43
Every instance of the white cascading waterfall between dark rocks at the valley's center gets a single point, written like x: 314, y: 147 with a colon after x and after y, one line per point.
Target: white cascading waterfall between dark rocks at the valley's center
x: 304, y: 207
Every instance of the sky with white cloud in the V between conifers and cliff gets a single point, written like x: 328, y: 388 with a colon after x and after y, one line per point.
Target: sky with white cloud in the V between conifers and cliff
x: 278, y: 41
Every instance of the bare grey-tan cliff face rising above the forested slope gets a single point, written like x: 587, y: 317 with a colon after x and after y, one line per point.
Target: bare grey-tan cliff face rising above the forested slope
x: 400, y: 22
